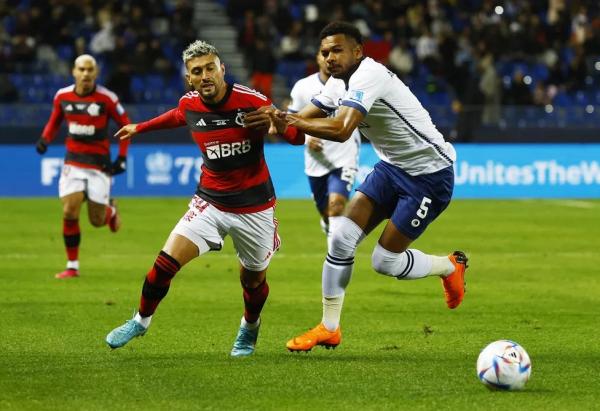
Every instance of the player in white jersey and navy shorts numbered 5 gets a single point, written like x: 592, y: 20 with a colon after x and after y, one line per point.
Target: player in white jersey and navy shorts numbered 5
x: 410, y: 185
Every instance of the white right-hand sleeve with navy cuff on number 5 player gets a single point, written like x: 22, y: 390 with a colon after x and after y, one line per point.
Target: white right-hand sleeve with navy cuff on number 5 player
x: 365, y: 86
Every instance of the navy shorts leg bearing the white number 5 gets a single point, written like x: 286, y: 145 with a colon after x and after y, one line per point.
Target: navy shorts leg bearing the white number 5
x: 423, y: 199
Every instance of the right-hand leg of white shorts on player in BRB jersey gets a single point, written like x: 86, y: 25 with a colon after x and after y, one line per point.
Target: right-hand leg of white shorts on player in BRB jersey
x: 255, y: 238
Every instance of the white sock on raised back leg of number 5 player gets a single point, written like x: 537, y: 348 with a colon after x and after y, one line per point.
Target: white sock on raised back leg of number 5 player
x: 409, y: 265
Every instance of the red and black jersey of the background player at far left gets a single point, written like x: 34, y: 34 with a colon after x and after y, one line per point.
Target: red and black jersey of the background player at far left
x: 87, y: 118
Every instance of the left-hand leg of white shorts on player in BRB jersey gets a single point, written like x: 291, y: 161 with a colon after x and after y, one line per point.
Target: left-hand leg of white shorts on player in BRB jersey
x: 202, y: 224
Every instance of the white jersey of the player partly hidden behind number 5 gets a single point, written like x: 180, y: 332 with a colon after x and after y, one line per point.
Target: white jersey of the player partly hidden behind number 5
x: 334, y: 155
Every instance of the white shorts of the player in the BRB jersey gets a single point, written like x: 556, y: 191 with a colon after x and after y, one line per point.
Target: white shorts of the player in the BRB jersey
x: 254, y: 235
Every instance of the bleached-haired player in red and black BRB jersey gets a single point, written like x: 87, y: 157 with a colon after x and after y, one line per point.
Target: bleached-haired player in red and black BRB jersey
x: 235, y: 194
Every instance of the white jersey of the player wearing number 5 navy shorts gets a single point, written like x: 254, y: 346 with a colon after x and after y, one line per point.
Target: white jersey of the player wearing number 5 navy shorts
x: 399, y: 128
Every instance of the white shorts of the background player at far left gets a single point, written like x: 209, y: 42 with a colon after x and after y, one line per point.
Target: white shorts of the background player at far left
x: 95, y: 183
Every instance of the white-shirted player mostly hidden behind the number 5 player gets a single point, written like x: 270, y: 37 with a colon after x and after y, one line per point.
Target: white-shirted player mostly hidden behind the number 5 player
x: 330, y: 166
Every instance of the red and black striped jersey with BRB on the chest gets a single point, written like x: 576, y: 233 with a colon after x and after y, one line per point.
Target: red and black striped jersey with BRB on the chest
x: 235, y: 176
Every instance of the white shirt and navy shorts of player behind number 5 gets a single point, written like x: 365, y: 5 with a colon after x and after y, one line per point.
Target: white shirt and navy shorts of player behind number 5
x: 333, y: 169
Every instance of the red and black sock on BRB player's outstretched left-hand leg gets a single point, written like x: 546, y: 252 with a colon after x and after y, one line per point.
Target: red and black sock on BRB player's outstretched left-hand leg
x: 157, y: 283
